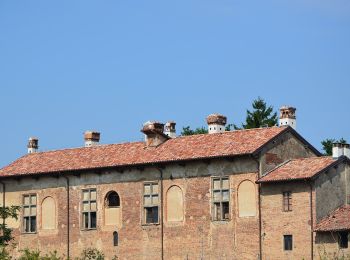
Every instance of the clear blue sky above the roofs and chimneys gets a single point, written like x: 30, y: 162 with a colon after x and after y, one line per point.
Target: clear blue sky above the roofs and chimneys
x: 69, y: 66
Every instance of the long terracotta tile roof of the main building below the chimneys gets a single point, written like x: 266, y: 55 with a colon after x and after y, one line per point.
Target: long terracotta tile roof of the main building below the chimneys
x: 177, y: 149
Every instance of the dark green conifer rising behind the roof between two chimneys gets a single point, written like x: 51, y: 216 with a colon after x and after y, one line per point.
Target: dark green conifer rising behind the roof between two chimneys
x: 262, y: 115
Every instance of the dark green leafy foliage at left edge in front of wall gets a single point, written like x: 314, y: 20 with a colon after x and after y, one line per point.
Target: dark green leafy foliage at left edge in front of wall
x: 5, y: 232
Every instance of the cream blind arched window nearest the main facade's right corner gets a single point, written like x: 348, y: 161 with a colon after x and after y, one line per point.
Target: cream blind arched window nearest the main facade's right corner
x: 246, y: 199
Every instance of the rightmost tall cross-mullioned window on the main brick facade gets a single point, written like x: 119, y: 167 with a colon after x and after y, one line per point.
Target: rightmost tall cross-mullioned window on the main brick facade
x: 221, y: 198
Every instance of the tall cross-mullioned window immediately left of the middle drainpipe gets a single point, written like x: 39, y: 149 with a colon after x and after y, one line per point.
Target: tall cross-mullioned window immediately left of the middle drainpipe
x: 150, y: 203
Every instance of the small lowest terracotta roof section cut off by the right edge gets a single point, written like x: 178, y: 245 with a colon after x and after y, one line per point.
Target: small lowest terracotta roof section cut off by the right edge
x: 338, y: 220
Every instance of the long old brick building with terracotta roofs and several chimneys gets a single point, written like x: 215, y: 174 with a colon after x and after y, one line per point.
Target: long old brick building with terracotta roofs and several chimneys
x: 247, y: 194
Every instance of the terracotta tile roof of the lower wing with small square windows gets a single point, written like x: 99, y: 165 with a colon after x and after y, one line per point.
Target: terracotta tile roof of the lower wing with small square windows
x: 298, y: 169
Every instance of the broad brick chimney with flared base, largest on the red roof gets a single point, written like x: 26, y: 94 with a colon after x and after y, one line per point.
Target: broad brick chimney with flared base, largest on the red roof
x: 154, y: 133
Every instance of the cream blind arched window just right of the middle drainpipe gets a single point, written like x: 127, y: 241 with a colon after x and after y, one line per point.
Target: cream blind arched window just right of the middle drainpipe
x: 174, y: 204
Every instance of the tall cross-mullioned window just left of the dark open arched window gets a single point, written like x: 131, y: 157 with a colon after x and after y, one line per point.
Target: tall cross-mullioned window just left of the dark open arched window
x: 89, y: 209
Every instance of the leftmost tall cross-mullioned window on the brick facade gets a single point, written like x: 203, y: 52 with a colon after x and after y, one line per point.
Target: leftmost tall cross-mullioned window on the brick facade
x: 29, y: 213
